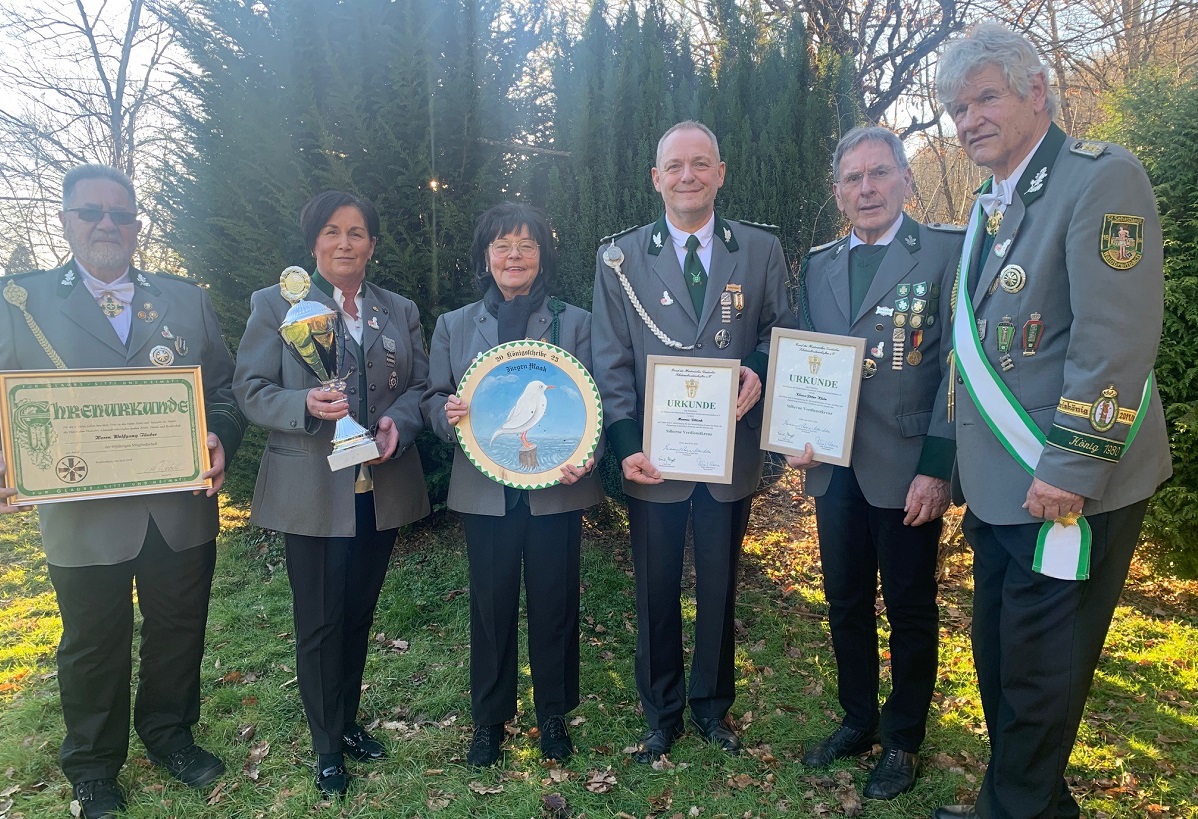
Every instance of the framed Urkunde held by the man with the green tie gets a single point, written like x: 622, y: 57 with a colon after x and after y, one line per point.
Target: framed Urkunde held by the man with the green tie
x: 691, y: 417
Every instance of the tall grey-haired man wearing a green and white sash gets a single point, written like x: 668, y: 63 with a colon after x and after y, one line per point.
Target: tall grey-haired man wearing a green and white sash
x: 1061, y: 435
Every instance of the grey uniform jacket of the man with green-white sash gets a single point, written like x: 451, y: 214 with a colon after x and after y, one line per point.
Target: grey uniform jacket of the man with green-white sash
x: 1102, y: 313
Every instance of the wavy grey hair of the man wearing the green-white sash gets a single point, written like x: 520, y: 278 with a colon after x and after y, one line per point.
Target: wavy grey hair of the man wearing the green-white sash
x: 993, y: 45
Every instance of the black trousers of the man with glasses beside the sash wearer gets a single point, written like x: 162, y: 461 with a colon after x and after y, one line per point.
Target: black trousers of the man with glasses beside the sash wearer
x: 858, y: 542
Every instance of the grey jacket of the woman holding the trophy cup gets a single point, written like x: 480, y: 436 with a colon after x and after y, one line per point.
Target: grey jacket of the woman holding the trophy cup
x: 297, y: 492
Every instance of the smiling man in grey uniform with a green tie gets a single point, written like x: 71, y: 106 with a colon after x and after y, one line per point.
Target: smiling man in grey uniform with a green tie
x: 693, y: 284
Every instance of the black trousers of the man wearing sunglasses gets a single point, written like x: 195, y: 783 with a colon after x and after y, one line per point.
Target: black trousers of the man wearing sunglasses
x: 95, y: 665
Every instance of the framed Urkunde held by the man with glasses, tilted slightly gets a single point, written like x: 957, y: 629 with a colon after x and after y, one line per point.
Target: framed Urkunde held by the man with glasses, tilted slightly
x: 812, y: 395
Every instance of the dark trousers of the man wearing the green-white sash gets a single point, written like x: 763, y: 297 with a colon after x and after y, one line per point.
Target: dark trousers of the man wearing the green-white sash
x: 1037, y: 644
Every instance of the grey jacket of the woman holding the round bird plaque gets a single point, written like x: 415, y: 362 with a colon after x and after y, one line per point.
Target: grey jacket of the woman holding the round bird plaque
x: 459, y: 338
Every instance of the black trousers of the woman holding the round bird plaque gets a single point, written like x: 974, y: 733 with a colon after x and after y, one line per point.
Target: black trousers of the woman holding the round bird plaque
x: 548, y: 548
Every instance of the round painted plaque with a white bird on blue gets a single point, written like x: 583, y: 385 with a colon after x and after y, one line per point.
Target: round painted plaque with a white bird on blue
x: 534, y: 408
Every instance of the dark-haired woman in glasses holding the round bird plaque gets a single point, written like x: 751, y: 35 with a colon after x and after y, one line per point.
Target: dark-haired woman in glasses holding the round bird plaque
x: 515, y: 262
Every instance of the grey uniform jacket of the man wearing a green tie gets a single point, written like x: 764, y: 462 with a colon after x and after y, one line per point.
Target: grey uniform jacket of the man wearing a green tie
x: 621, y: 342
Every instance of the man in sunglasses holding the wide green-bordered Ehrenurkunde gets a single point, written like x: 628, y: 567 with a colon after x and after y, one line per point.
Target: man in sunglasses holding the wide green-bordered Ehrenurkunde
x: 100, y: 312
